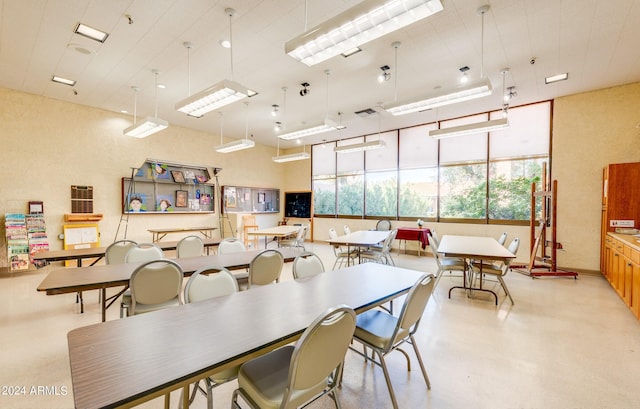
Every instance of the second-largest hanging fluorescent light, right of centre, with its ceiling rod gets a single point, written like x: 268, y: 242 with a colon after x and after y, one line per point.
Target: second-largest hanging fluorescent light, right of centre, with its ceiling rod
x: 464, y: 92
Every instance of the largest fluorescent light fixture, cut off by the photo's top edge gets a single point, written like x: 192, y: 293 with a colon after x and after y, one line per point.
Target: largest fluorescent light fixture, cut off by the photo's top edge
x: 366, y: 21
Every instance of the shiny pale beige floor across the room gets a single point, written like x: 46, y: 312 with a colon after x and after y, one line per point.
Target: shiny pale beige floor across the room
x: 565, y: 344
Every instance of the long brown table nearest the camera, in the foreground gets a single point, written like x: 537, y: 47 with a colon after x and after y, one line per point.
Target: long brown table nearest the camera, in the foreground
x: 125, y: 362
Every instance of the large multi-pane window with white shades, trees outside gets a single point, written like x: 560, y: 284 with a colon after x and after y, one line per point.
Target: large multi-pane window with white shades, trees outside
x: 485, y: 176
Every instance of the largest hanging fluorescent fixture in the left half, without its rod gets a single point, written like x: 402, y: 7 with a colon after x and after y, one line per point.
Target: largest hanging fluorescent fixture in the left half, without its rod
x: 223, y: 93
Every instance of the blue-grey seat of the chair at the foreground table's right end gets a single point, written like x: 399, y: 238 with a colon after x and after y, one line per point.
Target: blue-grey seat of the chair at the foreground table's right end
x: 376, y: 328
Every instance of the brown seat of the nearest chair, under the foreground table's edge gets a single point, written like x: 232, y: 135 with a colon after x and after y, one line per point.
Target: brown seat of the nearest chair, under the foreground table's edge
x: 265, y: 378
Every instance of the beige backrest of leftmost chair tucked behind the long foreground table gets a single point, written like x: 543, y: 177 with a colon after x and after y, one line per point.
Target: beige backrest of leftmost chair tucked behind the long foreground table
x: 155, y: 282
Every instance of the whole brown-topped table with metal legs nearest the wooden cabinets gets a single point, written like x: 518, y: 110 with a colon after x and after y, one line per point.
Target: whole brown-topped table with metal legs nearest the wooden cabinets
x: 475, y: 248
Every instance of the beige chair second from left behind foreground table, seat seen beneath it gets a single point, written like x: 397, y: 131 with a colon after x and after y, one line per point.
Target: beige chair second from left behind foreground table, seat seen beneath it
x: 205, y: 283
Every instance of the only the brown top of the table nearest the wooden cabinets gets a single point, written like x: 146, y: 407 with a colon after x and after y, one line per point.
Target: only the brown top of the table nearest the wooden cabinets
x: 476, y: 247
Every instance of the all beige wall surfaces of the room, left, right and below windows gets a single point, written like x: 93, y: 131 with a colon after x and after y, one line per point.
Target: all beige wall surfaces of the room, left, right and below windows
x: 49, y: 145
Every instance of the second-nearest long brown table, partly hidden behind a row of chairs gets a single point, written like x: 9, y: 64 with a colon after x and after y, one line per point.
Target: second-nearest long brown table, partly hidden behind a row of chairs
x: 101, y: 277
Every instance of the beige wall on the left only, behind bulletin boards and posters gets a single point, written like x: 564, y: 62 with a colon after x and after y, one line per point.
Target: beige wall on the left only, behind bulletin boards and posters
x: 49, y: 145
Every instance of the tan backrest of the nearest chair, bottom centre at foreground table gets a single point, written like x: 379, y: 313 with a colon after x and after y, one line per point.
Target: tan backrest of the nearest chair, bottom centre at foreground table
x: 320, y: 350
